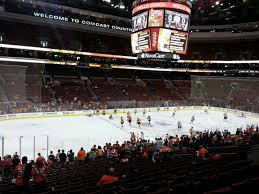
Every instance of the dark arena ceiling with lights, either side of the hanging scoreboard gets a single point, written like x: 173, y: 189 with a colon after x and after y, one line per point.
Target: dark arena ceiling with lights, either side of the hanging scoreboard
x: 203, y: 12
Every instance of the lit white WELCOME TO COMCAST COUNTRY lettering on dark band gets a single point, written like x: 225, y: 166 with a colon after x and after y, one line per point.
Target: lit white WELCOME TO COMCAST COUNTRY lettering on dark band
x: 81, y: 21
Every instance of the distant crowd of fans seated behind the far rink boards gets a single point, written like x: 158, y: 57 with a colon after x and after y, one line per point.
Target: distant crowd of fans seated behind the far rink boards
x: 54, y: 106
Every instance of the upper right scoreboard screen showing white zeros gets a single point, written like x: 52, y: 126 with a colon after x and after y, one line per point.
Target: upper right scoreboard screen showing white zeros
x: 175, y: 20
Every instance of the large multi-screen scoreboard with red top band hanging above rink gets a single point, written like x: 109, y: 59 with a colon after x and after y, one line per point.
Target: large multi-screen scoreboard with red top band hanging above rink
x: 160, y: 26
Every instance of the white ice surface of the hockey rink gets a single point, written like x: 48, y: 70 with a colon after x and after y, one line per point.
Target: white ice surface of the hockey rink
x: 82, y: 131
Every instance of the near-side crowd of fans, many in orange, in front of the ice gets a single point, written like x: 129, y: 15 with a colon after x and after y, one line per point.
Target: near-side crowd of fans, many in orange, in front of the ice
x: 24, y: 173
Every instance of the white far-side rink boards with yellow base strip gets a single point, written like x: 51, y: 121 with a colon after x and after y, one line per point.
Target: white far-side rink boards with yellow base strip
x: 90, y: 113
